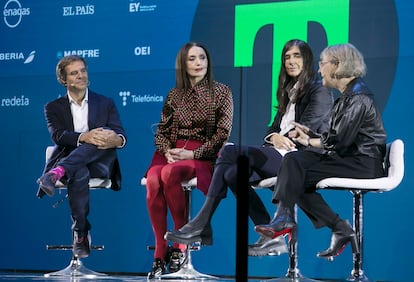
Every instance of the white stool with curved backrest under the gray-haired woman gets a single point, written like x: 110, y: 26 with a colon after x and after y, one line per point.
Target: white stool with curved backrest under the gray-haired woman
x: 394, y: 167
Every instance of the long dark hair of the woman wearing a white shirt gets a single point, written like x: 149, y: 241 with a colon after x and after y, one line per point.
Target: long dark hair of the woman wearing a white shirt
x: 304, y: 79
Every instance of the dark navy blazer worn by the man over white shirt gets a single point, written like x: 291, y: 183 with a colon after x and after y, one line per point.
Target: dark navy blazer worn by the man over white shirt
x: 102, y: 112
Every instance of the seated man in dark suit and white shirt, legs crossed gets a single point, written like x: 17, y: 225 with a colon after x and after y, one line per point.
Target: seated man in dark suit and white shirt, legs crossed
x: 87, y: 130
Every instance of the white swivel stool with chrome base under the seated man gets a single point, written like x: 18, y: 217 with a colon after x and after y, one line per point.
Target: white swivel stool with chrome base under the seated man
x: 76, y: 269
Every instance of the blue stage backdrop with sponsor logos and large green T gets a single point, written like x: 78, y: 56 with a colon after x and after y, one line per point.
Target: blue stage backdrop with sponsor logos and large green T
x: 130, y: 46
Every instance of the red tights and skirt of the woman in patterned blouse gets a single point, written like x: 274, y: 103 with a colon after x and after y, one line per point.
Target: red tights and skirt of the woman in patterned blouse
x: 164, y: 192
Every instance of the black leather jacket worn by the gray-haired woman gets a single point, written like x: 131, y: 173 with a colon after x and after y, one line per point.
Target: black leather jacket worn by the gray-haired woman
x: 355, y: 126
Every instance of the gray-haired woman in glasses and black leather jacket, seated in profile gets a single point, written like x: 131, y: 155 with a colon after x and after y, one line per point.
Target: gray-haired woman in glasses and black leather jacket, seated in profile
x: 354, y: 144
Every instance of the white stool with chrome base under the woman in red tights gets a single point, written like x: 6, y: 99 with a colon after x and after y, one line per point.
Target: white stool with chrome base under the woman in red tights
x: 187, y: 270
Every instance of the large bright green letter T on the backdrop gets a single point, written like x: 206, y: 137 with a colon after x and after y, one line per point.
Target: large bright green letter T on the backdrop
x: 290, y: 20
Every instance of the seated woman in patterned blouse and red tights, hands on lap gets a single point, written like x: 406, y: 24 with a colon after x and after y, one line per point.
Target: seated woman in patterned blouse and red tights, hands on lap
x: 196, y: 121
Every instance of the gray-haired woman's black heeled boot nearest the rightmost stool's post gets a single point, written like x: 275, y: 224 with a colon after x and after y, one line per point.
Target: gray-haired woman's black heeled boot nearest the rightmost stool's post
x: 342, y: 234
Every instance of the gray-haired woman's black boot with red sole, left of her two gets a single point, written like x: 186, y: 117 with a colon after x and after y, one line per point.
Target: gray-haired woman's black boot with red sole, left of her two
x: 282, y: 223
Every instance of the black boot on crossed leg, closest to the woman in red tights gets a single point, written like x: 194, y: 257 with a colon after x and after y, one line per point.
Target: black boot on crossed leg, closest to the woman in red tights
x: 198, y: 229
